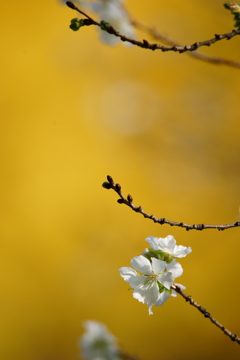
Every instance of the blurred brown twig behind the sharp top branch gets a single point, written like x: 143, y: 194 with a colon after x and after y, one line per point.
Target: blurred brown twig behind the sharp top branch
x: 156, y: 34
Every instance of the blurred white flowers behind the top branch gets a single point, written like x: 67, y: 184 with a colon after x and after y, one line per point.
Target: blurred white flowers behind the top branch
x: 114, y: 13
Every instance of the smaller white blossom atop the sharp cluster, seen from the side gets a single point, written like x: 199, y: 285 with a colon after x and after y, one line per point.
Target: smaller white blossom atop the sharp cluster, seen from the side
x: 168, y: 245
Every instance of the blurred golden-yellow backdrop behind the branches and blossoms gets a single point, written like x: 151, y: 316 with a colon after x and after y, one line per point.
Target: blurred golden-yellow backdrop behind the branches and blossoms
x: 166, y: 127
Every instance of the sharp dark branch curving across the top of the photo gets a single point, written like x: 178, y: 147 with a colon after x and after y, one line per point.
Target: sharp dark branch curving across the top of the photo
x: 145, y: 44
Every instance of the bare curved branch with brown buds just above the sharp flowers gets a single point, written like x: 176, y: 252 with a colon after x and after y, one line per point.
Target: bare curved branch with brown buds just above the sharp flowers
x: 129, y: 202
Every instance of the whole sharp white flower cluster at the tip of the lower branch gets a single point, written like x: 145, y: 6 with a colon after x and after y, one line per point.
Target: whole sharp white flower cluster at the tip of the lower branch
x: 155, y: 271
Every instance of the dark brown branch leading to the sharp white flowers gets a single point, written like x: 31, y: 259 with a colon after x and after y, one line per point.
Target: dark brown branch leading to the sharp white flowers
x: 206, y: 314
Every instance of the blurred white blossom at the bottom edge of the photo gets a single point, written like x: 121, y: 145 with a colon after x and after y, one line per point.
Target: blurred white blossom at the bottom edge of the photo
x: 97, y: 343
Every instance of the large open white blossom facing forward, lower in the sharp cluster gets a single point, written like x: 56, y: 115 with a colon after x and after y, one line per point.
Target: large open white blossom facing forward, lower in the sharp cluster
x: 155, y: 282
